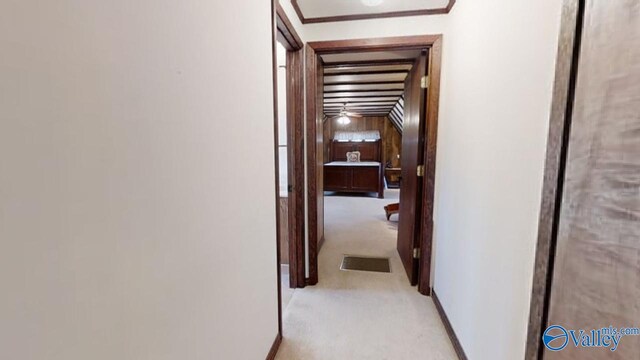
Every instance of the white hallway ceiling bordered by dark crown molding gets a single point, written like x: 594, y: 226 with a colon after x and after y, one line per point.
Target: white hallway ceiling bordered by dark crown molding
x: 329, y: 8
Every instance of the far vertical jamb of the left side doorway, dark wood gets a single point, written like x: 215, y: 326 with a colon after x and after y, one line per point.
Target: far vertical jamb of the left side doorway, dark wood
x: 295, y: 134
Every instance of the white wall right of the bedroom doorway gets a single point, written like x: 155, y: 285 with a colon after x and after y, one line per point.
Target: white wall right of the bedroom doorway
x: 498, y: 71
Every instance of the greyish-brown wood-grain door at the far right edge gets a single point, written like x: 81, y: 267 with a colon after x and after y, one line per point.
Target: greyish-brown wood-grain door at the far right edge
x: 596, y: 273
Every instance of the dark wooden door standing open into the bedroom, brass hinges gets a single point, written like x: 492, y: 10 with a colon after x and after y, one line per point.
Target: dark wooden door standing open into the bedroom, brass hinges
x: 412, y: 155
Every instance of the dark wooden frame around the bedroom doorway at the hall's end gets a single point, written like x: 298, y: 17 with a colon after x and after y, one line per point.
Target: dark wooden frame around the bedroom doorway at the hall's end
x: 313, y: 52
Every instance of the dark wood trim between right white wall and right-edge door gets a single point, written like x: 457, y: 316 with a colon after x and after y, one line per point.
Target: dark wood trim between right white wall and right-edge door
x: 552, y: 188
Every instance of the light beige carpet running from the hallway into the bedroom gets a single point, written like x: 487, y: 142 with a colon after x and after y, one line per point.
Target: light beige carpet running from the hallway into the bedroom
x: 361, y: 315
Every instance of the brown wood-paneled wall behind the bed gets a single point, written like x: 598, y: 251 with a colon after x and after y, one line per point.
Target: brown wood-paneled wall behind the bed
x: 391, y: 138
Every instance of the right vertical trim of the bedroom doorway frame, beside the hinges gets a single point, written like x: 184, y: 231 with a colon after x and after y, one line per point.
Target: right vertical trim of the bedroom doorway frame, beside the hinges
x: 428, y: 191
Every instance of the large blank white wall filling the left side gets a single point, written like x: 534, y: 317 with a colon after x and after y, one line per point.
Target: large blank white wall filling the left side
x: 137, y: 212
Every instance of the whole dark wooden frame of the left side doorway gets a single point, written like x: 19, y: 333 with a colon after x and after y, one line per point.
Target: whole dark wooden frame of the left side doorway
x: 283, y: 31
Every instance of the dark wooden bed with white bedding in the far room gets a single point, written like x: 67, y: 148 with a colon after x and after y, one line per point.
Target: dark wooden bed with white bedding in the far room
x: 363, y: 176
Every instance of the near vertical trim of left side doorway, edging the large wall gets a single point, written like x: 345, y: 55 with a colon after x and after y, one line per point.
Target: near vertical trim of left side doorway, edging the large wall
x: 274, y: 71
